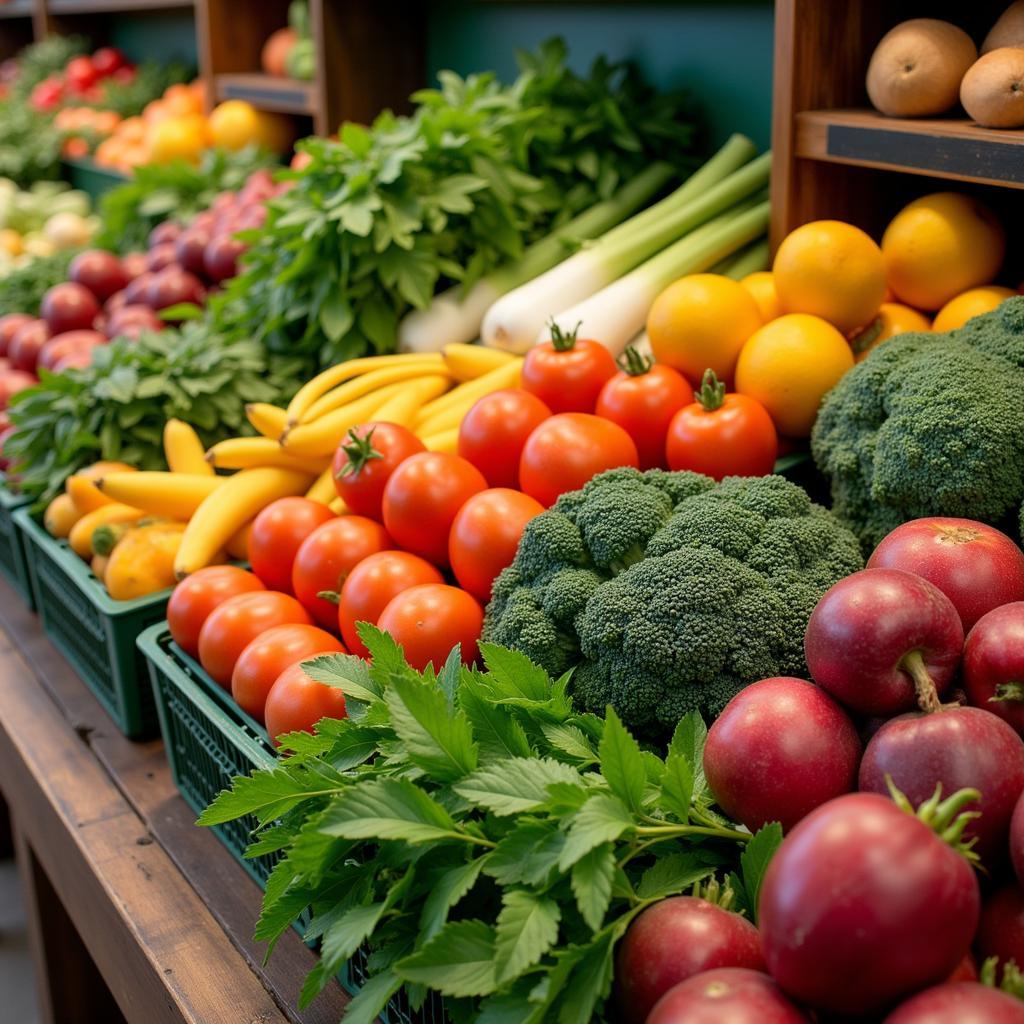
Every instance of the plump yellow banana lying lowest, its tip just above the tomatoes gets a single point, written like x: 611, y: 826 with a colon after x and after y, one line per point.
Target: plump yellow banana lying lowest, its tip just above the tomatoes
x: 228, y: 509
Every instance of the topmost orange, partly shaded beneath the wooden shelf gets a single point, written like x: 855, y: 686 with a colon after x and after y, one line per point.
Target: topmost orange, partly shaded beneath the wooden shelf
x: 940, y: 246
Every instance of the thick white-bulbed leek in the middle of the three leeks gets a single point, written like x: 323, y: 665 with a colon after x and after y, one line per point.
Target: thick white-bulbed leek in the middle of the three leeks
x: 513, y: 323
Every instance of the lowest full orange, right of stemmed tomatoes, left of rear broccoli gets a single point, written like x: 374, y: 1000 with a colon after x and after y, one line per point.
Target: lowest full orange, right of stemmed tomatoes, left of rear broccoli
x: 789, y: 366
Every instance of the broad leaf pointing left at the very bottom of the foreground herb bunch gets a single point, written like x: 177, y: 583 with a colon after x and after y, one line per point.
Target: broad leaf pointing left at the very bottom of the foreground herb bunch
x: 459, y: 961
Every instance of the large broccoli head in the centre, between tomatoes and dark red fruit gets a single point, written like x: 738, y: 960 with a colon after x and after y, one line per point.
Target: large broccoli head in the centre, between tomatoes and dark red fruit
x: 668, y: 592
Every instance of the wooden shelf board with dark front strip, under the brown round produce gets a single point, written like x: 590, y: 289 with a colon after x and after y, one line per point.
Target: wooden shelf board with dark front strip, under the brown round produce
x: 945, y: 148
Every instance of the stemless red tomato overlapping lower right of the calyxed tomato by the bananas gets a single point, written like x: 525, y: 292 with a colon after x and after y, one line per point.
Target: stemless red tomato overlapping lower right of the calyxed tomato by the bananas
x: 422, y: 498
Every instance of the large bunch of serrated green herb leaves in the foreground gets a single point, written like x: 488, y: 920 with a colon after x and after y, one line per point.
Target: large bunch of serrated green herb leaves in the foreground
x: 480, y: 837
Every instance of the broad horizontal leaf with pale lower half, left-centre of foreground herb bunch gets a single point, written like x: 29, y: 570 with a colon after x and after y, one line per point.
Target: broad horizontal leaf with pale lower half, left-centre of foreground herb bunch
x: 388, y: 808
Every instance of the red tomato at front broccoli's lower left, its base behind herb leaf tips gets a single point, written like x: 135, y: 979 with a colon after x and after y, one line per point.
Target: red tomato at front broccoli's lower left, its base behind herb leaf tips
x: 429, y: 621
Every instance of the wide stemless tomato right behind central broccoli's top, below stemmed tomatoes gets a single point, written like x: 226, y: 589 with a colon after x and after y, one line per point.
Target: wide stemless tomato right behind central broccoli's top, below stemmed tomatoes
x: 564, y: 453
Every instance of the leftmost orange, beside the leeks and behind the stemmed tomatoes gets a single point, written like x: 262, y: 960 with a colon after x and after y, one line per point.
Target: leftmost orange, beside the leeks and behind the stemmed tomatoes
x: 702, y: 322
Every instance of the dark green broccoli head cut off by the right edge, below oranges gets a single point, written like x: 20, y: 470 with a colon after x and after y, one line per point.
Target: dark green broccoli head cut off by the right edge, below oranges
x: 929, y: 424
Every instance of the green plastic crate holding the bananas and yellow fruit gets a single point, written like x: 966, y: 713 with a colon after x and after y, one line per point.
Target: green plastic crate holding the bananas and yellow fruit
x: 96, y: 633
